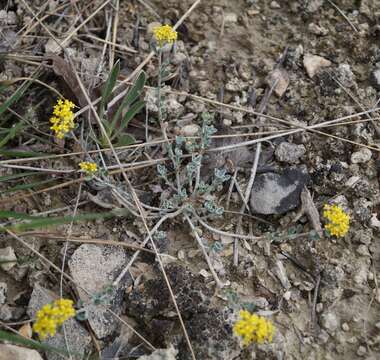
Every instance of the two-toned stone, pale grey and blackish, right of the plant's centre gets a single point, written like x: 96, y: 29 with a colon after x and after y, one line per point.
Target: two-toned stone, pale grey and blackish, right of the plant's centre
x: 274, y: 193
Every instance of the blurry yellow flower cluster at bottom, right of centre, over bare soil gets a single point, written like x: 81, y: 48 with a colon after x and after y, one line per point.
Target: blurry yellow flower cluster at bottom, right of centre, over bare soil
x: 253, y: 328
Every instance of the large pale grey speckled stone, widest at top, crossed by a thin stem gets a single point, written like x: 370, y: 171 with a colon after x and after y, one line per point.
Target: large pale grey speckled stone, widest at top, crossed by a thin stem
x: 94, y: 268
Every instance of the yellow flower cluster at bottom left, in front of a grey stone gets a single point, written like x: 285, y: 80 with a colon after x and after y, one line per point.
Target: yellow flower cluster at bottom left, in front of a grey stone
x: 50, y: 316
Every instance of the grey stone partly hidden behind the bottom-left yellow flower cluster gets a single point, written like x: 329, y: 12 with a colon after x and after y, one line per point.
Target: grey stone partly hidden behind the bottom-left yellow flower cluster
x: 77, y: 336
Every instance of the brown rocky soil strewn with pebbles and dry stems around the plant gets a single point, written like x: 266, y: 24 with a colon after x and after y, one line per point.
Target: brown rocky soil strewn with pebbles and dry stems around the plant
x: 301, y: 62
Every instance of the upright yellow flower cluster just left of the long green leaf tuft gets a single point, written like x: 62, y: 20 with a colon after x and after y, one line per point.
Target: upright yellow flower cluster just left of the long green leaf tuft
x: 63, y: 118
